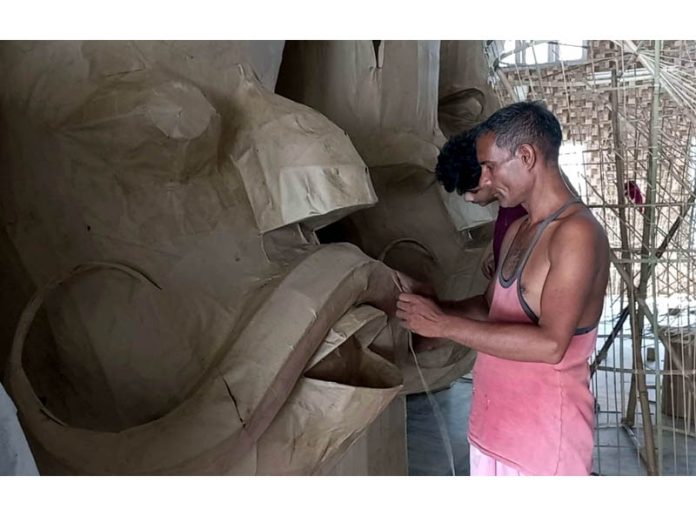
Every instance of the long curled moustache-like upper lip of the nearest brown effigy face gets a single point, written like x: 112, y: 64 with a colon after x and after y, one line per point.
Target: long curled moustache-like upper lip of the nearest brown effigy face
x: 232, y: 408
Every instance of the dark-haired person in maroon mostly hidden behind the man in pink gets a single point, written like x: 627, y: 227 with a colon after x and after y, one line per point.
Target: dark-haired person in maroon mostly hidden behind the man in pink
x: 458, y: 168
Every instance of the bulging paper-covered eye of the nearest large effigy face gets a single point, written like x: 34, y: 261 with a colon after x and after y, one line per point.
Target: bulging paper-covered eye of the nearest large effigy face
x: 142, y: 125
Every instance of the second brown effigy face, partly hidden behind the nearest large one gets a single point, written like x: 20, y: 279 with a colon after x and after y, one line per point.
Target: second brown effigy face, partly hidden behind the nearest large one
x: 386, y: 96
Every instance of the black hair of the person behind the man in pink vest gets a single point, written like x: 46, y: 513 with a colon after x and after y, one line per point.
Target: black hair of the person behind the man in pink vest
x: 457, y: 166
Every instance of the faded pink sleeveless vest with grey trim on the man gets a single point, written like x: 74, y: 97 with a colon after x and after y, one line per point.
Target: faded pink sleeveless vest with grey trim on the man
x: 532, y: 416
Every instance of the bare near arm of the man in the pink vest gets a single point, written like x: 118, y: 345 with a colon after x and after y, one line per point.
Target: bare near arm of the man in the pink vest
x: 563, y: 300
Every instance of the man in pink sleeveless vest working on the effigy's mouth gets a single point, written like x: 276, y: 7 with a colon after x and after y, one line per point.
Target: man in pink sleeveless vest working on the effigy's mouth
x: 536, y: 325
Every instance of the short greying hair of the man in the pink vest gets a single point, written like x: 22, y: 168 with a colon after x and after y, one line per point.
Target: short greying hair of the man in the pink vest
x: 525, y: 123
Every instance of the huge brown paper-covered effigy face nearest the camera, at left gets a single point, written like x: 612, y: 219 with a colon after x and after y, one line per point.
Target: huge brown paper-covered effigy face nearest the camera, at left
x: 163, y: 201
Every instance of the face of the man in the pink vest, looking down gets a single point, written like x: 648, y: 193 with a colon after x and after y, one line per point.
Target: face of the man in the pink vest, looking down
x: 501, y: 171
